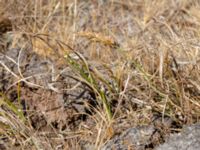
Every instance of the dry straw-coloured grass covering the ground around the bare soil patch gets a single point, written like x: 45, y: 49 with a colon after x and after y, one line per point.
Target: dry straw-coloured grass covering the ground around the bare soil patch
x: 149, y: 52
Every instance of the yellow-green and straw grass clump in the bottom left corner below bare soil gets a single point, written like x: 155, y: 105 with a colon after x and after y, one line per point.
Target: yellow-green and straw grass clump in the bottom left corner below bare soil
x: 13, y: 123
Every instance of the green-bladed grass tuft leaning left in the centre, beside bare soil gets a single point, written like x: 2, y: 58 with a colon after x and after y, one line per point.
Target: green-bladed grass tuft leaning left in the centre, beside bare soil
x: 92, y: 79
